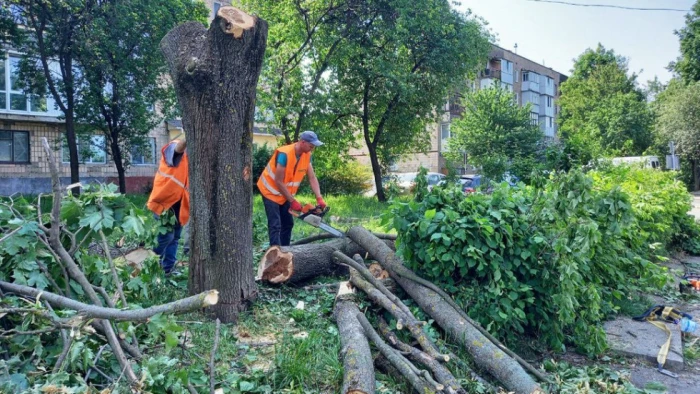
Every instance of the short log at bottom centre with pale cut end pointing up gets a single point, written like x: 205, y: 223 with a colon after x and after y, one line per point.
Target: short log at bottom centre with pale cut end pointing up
x: 358, y: 377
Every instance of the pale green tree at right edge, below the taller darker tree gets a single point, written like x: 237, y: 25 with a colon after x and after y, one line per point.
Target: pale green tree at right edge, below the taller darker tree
x: 679, y: 121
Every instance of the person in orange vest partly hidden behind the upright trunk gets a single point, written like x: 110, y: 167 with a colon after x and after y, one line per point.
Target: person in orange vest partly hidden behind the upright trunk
x: 171, y: 192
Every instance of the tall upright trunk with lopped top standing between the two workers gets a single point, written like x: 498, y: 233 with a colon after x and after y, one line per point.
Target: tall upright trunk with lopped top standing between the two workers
x: 215, y: 73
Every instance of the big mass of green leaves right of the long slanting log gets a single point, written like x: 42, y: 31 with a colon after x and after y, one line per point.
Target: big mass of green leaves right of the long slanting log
x: 550, y: 261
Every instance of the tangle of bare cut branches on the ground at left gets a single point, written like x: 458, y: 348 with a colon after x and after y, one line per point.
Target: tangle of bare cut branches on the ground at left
x: 97, y: 314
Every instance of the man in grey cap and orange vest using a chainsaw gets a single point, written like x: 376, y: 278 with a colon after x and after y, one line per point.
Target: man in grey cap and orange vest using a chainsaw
x: 280, y: 181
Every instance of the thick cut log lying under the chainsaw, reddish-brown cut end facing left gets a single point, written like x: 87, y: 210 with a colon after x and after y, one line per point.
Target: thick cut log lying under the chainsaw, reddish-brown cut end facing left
x: 296, y: 264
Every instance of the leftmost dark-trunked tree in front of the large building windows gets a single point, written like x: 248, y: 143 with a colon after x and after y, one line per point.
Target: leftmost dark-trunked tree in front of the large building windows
x: 49, y: 45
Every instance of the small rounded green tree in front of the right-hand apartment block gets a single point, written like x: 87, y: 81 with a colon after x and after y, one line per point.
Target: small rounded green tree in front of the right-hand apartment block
x: 496, y: 133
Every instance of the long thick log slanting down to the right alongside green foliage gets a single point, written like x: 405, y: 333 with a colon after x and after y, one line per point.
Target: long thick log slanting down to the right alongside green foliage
x: 485, y: 353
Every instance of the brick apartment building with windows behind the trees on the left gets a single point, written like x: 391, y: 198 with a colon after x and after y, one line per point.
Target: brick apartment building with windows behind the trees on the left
x: 25, y: 120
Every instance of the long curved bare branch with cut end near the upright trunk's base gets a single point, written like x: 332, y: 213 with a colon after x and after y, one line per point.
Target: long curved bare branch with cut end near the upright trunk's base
x: 87, y: 311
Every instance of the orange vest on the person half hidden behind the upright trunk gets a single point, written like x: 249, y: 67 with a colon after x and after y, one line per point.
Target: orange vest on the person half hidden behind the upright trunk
x: 171, y: 185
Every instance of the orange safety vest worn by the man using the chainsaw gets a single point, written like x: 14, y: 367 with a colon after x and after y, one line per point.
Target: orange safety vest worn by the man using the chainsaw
x: 293, y: 174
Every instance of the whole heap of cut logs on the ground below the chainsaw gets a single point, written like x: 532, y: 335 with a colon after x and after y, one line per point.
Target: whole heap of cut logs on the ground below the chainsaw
x: 300, y: 263
